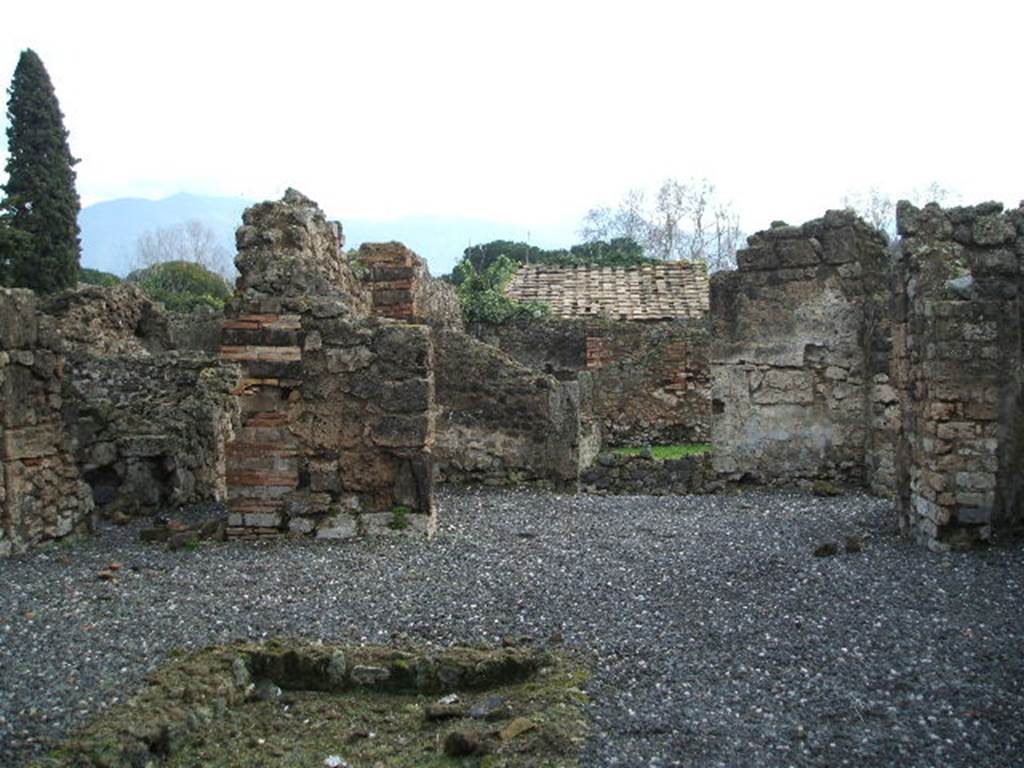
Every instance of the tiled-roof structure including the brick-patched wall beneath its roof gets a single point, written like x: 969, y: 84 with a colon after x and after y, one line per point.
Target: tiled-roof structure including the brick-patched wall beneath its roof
x: 642, y: 335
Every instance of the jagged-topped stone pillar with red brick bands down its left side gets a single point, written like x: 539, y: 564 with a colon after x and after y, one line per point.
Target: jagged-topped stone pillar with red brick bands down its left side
x: 337, y: 408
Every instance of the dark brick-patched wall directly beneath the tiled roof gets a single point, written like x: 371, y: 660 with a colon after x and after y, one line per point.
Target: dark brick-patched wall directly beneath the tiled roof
x: 652, y: 381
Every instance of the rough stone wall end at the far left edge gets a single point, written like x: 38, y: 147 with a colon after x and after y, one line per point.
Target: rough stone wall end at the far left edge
x: 42, y: 495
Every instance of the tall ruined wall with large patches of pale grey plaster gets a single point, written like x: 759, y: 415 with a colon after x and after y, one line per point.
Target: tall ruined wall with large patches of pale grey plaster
x: 800, y: 365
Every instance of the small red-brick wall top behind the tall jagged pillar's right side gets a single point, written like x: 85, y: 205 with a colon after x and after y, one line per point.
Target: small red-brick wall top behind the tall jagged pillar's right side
x: 401, y: 286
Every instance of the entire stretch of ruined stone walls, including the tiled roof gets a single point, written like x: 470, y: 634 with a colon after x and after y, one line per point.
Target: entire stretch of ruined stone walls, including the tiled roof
x: 339, y: 389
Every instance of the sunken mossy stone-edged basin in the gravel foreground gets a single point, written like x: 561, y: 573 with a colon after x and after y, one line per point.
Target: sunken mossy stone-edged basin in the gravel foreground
x: 295, y: 704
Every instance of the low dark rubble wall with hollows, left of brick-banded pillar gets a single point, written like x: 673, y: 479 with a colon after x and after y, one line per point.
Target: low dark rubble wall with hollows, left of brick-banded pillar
x: 151, y: 431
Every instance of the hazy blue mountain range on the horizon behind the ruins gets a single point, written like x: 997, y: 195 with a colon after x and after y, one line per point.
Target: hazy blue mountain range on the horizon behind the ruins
x: 111, y: 229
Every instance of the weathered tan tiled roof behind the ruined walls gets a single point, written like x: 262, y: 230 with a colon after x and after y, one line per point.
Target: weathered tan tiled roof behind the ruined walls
x: 665, y: 291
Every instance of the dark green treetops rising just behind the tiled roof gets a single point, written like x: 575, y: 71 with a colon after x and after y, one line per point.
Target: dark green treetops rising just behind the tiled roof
x: 617, y: 252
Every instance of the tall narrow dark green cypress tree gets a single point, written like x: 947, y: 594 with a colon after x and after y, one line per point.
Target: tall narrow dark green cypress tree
x: 41, y: 201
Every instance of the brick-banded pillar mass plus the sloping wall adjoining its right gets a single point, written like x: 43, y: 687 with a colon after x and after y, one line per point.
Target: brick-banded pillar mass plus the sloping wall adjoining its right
x: 359, y: 388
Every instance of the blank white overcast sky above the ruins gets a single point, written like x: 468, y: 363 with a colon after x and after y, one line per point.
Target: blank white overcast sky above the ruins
x: 533, y: 112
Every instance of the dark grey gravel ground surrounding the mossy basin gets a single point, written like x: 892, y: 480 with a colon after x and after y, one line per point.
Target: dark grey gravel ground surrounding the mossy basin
x: 716, y: 637
